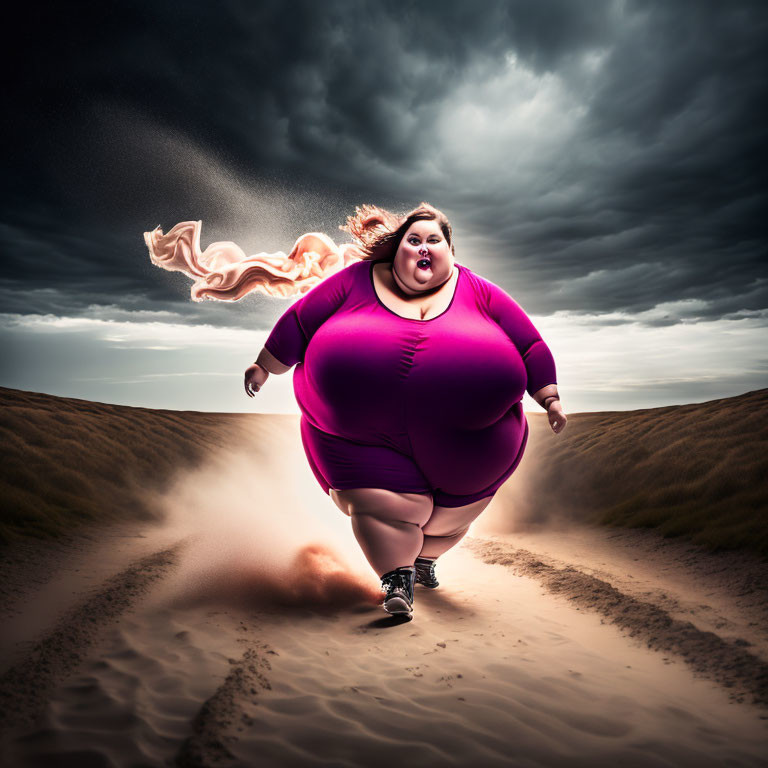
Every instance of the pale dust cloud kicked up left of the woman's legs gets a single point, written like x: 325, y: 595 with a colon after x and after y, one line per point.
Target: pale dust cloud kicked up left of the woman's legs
x: 260, y: 531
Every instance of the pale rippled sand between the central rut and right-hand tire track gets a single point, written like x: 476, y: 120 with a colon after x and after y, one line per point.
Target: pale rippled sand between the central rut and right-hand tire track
x: 493, y: 673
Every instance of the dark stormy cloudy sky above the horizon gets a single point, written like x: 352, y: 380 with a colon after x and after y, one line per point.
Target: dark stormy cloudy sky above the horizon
x: 603, y: 161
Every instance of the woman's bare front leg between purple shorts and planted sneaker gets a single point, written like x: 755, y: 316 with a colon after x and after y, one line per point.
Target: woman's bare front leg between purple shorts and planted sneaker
x: 386, y: 524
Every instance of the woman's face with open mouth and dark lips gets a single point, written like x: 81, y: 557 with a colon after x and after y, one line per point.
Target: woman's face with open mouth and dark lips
x: 423, y: 259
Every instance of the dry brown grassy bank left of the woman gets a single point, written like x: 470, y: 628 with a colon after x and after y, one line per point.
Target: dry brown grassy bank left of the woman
x: 67, y: 462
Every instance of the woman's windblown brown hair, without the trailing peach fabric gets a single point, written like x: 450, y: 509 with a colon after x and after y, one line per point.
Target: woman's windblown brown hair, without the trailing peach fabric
x: 378, y: 232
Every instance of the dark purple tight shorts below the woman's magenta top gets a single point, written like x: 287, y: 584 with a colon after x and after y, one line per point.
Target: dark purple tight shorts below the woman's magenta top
x: 342, y: 464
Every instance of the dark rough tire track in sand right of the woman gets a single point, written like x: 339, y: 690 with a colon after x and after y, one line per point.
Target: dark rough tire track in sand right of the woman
x: 706, y: 653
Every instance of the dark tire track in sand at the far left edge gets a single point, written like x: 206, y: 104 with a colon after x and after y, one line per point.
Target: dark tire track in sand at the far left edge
x: 27, y: 685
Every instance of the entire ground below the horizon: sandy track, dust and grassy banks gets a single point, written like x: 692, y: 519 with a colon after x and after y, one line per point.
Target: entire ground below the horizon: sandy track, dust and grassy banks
x: 220, y: 613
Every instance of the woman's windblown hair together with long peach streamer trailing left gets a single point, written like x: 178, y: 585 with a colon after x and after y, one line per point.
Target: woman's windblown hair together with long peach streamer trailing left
x: 224, y: 272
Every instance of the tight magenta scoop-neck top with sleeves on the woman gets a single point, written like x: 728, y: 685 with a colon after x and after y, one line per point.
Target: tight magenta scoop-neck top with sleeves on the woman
x: 445, y: 391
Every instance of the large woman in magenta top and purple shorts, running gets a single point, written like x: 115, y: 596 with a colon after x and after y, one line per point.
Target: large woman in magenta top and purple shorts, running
x: 410, y: 370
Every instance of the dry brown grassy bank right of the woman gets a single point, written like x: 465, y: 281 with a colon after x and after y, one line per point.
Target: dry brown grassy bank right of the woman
x: 700, y: 470
